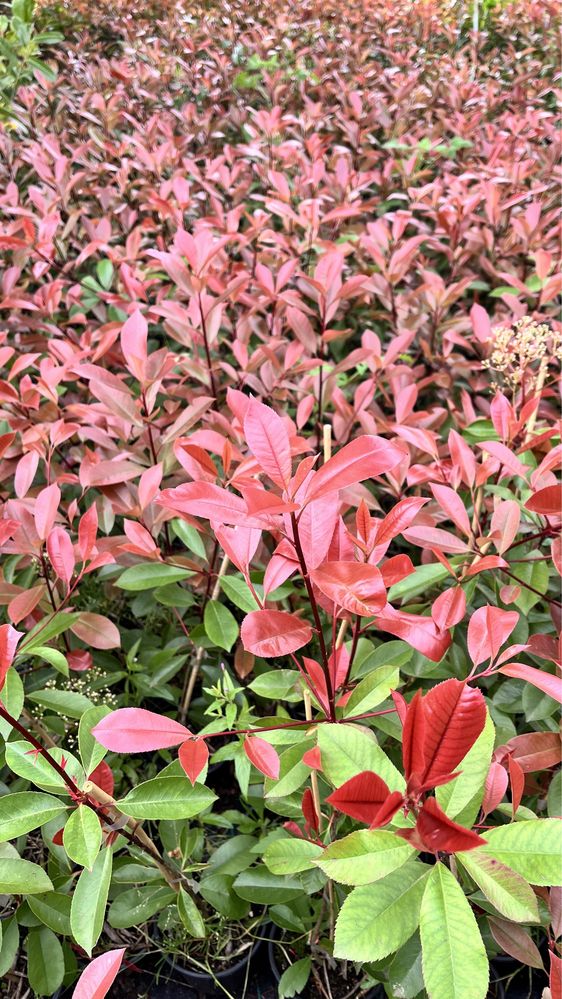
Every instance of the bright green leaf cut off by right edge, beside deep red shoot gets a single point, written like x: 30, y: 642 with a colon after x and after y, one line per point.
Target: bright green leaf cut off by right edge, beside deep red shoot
x: 531, y: 848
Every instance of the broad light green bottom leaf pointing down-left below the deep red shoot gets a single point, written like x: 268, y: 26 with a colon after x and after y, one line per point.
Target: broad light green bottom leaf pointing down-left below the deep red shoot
x: 377, y: 919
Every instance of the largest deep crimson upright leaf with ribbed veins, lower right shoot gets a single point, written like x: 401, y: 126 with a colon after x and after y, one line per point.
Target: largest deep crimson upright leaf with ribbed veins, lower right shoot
x: 455, y: 715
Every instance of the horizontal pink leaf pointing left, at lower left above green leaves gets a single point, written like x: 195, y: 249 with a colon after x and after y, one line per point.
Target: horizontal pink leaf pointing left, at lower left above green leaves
x: 136, y: 730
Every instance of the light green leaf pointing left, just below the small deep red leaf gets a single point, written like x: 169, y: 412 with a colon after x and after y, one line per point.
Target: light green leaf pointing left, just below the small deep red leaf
x: 364, y: 856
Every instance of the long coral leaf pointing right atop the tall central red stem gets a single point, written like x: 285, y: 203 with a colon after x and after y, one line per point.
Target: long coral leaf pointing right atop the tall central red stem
x: 363, y: 458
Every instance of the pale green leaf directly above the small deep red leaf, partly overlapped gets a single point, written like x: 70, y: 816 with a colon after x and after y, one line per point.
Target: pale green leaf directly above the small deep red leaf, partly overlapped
x: 348, y: 750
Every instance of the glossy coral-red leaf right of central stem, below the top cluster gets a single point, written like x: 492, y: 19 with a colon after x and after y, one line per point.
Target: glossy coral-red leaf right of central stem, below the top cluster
x: 355, y: 586
